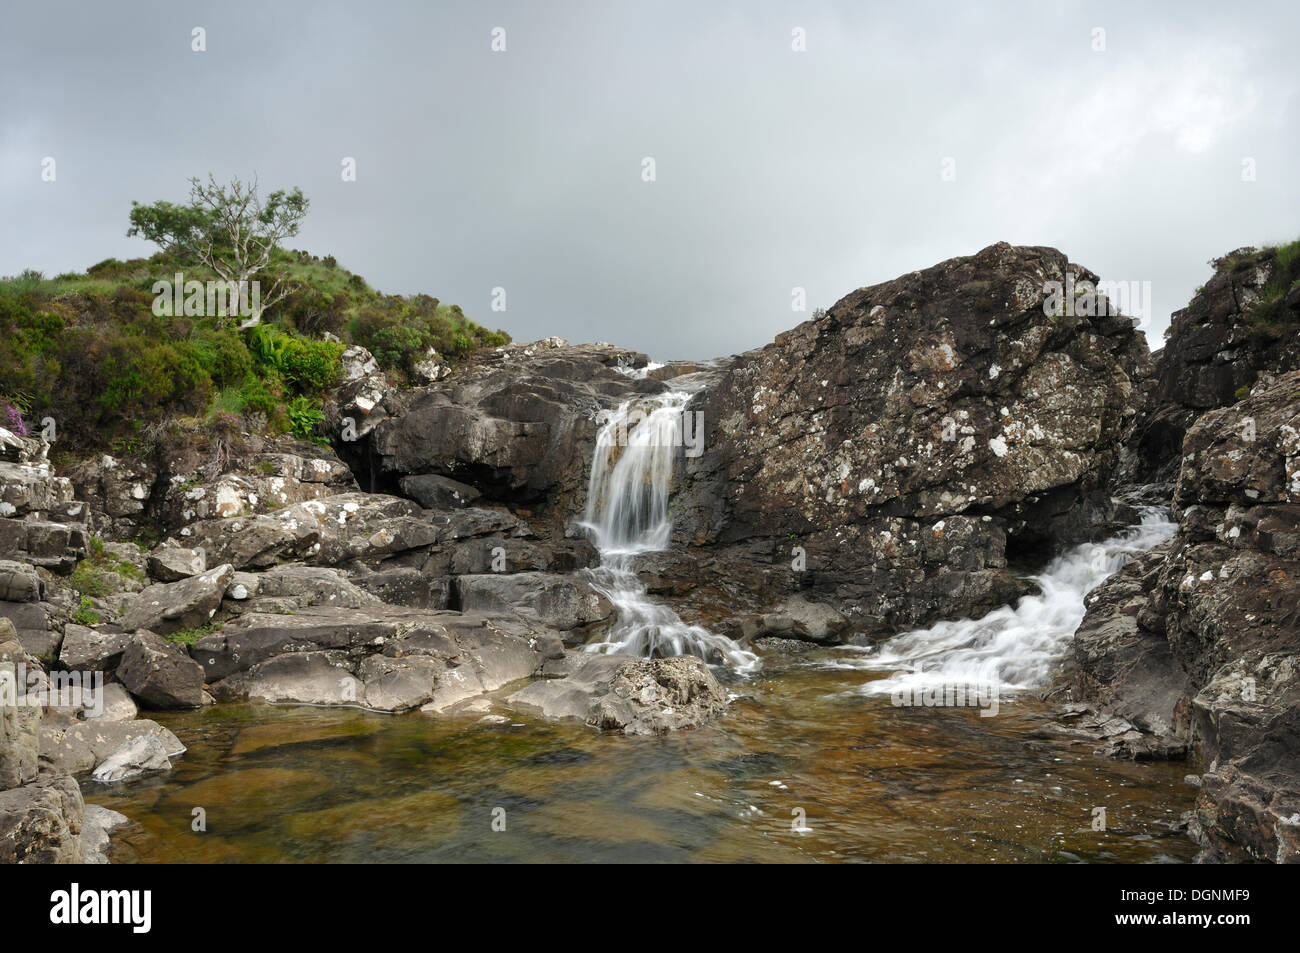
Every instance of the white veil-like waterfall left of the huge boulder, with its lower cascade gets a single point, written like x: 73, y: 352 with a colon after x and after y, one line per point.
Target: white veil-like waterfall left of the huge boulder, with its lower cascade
x: 627, y: 513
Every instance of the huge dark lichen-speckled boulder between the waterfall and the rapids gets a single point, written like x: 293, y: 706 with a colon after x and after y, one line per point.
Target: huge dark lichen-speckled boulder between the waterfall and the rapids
x: 892, y: 457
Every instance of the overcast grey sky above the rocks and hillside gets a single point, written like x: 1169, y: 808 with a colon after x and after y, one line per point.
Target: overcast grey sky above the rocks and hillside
x: 1141, y: 140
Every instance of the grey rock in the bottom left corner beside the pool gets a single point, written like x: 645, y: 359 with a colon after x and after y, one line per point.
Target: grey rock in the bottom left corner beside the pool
x: 42, y: 822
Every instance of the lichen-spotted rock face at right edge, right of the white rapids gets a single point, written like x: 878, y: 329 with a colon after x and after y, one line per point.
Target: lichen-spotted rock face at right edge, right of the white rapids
x: 1199, y: 643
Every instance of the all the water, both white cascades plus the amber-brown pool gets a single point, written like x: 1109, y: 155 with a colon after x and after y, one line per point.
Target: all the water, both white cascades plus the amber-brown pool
x: 813, y: 763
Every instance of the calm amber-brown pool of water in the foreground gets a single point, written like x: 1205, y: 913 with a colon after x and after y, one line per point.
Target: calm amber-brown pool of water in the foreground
x: 803, y: 769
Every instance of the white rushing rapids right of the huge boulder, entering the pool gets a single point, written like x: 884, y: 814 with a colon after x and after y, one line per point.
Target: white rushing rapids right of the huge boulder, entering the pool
x: 1012, y: 648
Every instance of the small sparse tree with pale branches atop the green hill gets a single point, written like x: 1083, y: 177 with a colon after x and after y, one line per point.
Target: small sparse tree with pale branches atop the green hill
x: 228, y: 228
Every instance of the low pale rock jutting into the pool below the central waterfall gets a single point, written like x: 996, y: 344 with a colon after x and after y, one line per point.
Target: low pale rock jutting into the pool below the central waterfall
x: 631, y: 695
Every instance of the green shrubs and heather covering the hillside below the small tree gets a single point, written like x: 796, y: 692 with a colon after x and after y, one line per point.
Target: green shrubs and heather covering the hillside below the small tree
x: 119, y: 372
